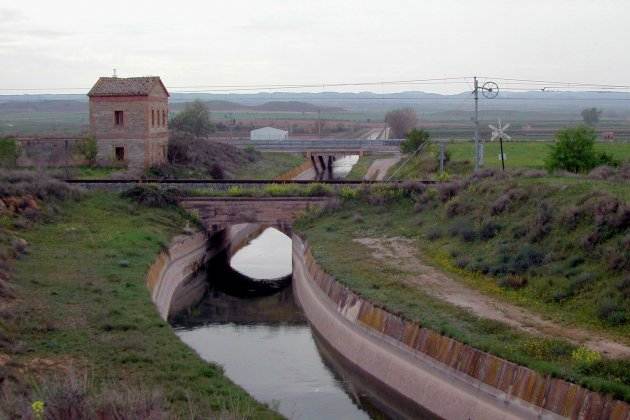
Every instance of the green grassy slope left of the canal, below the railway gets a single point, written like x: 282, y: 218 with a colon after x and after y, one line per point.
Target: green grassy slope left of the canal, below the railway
x: 83, y: 306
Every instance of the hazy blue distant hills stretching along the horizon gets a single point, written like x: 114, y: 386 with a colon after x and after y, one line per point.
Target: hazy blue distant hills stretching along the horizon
x: 530, y: 105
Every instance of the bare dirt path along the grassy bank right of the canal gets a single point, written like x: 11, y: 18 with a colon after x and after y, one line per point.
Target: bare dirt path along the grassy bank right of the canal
x: 402, y: 254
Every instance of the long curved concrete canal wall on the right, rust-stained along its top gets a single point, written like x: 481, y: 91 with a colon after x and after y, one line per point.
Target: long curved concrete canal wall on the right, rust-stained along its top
x: 448, y: 378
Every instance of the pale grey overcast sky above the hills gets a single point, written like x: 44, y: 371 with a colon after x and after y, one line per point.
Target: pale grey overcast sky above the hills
x: 63, y: 43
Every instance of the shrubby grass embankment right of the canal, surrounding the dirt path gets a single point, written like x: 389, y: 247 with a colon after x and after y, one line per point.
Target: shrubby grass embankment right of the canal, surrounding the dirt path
x: 556, y: 246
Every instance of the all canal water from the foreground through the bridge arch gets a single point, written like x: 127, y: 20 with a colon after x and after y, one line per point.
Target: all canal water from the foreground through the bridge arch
x: 264, y: 342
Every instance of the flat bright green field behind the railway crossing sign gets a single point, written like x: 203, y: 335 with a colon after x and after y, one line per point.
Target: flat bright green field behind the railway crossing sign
x: 520, y: 155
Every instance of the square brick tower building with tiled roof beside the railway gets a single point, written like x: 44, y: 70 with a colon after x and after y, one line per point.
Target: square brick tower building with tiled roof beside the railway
x: 129, y: 119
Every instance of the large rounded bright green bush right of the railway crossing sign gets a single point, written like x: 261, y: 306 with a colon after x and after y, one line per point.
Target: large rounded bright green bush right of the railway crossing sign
x: 574, y: 151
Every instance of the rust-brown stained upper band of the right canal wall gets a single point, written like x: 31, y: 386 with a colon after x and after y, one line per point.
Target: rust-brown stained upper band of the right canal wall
x: 509, y: 384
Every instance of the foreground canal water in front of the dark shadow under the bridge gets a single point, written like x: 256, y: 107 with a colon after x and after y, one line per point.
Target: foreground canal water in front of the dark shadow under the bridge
x: 265, y: 345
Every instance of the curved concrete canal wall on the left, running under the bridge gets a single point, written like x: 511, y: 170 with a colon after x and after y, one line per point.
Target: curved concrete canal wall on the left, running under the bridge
x: 175, y: 279
